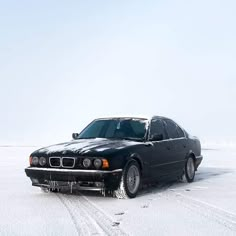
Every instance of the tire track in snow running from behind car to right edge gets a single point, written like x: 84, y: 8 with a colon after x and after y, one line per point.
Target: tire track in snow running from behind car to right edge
x: 223, y: 217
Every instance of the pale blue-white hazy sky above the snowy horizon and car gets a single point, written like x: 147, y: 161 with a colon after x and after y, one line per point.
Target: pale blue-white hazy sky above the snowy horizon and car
x: 64, y: 63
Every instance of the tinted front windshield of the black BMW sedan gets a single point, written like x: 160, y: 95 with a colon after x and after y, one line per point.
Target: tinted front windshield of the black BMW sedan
x: 120, y: 128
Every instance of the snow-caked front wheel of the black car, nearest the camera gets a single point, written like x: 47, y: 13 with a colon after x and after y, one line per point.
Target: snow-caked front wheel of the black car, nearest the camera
x: 130, y: 181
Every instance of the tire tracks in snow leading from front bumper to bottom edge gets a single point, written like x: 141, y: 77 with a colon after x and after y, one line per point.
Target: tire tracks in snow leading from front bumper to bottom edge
x: 87, y: 218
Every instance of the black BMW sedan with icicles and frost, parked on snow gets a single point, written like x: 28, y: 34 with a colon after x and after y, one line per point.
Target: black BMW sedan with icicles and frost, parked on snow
x: 117, y: 155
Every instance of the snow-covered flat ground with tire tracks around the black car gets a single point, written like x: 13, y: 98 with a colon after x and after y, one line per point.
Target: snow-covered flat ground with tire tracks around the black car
x: 205, y: 207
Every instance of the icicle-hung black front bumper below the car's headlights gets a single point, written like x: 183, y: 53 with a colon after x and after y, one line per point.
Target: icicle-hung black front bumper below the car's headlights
x: 43, y: 177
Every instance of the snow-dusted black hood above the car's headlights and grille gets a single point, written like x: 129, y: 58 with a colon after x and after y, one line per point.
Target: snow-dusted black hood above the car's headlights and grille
x: 97, y: 146
